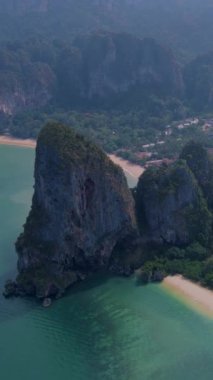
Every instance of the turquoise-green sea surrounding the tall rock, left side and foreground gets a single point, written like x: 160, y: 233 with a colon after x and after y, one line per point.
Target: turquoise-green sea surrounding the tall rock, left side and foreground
x: 105, y: 329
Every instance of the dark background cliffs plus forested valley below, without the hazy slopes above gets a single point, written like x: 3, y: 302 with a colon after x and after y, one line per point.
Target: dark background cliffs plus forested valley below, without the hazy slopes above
x: 117, y: 89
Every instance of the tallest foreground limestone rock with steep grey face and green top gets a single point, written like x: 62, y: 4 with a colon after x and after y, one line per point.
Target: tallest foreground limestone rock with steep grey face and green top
x: 81, y: 209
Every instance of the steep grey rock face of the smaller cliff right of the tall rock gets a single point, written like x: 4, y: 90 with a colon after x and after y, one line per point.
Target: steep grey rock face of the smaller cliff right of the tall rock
x: 170, y: 206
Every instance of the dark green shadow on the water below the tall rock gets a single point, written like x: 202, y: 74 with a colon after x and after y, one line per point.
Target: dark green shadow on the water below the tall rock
x: 84, y: 316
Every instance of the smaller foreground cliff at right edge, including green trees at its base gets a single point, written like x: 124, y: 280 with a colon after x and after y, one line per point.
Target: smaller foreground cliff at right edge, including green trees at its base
x: 174, y: 214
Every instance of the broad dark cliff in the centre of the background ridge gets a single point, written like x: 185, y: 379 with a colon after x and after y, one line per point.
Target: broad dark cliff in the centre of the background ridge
x: 118, y: 63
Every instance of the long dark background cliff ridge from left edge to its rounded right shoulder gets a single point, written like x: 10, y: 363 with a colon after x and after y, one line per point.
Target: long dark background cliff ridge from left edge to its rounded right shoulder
x: 102, y: 70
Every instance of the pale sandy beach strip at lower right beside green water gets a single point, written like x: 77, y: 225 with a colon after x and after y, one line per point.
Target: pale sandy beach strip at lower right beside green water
x: 195, y: 295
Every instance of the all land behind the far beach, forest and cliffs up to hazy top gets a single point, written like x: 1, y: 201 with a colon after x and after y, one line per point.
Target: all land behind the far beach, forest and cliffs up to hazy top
x: 119, y: 71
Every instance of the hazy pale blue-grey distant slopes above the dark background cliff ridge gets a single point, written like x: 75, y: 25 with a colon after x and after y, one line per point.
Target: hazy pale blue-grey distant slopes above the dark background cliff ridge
x: 186, y: 26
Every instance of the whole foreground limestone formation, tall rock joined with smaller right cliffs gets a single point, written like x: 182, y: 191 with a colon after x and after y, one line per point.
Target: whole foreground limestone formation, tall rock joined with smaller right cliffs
x: 85, y: 219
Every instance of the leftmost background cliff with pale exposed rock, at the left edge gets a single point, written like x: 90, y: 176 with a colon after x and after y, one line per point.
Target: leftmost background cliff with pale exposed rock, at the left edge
x: 24, y: 84
